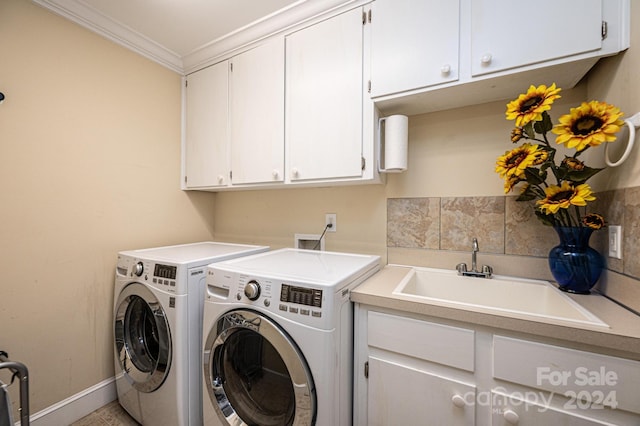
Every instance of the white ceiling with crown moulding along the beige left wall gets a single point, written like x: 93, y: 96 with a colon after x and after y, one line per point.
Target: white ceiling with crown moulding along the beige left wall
x: 167, y: 30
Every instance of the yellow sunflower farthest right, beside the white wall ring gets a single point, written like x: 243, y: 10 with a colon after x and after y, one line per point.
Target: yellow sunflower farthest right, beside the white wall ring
x: 590, y: 124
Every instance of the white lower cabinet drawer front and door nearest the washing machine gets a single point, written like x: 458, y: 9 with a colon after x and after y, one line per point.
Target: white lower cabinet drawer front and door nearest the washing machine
x: 411, y: 382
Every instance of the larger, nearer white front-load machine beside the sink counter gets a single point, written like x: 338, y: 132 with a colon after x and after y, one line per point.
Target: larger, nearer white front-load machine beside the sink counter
x: 278, y: 338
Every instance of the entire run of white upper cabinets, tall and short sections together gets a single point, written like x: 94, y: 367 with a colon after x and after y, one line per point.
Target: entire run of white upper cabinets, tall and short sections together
x: 298, y: 105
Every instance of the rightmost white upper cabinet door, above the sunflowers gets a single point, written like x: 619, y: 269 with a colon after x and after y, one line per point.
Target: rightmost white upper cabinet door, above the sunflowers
x: 511, y: 33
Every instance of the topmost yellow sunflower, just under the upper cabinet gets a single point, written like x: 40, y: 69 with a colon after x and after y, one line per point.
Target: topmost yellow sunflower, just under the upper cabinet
x: 530, y: 106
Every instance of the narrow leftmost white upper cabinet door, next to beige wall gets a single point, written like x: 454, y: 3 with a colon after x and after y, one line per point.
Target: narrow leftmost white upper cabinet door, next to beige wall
x: 206, y: 129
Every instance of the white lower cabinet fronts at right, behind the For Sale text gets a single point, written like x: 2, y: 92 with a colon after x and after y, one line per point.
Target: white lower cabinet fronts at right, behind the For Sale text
x: 537, y: 383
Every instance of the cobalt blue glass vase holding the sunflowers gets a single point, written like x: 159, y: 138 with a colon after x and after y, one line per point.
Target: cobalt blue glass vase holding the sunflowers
x: 574, y: 265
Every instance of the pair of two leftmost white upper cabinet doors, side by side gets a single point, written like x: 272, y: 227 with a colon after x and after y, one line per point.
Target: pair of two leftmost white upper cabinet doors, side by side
x: 235, y: 120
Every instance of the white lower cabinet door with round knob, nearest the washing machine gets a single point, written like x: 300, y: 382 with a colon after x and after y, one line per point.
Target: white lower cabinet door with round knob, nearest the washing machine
x: 399, y: 395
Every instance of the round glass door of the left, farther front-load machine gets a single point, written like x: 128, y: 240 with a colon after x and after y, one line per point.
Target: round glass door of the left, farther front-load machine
x: 142, y: 338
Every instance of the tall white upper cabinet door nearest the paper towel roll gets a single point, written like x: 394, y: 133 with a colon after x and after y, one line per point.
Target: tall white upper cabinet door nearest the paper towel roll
x: 324, y: 99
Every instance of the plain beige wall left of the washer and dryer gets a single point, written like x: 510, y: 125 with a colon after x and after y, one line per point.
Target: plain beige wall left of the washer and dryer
x: 89, y: 165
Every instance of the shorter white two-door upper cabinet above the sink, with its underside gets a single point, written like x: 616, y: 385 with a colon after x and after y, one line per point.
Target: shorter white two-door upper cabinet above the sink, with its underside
x: 432, y: 55
